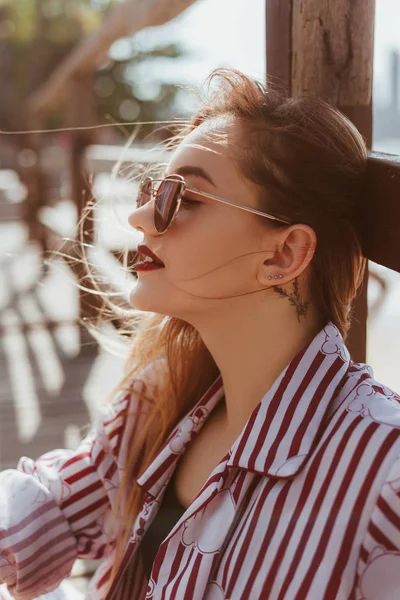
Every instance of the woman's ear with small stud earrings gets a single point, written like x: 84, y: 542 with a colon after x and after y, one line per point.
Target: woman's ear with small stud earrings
x: 294, y: 248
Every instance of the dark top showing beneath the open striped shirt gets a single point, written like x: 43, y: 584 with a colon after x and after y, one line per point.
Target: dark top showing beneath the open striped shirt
x: 168, y: 515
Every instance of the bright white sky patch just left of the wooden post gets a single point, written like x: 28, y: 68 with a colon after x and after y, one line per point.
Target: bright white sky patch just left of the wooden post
x: 212, y: 33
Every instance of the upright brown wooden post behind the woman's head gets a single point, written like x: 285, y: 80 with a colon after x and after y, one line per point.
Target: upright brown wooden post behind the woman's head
x: 324, y: 48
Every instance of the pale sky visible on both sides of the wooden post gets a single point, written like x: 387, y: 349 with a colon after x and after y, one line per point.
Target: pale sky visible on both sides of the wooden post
x: 232, y: 33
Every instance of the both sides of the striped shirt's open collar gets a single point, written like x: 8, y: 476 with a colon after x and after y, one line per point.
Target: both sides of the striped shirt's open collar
x: 283, y: 428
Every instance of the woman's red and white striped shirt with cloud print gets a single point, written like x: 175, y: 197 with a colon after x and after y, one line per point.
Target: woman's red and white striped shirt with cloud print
x: 305, y: 505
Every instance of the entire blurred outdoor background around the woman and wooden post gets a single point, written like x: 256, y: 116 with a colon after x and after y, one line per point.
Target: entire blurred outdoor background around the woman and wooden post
x: 52, y: 374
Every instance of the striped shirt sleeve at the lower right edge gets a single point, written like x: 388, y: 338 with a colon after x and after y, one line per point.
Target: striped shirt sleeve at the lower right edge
x: 379, y: 566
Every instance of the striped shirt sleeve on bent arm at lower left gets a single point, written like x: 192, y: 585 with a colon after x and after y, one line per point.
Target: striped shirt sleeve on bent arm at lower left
x: 58, y: 508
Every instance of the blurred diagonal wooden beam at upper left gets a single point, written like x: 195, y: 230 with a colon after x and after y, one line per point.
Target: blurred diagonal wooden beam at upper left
x: 124, y: 20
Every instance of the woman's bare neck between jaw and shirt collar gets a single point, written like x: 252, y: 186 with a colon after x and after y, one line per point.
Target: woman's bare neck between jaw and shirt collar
x: 251, y: 353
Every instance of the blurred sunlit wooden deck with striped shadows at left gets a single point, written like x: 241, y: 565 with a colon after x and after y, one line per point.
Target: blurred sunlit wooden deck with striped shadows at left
x: 51, y: 381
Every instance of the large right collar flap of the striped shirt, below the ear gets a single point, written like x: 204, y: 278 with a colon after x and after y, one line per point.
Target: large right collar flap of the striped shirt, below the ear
x: 282, y: 430
